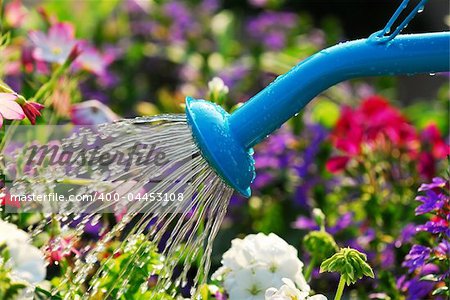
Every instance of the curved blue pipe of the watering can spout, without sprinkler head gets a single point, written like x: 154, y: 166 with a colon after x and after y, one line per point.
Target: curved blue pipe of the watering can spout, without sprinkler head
x: 289, y: 93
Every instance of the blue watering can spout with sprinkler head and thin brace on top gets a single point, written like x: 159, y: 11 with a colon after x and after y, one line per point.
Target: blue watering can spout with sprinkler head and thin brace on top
x: 226, y: 140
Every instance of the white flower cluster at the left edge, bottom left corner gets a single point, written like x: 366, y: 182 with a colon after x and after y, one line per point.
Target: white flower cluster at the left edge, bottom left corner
x: 27, y: 261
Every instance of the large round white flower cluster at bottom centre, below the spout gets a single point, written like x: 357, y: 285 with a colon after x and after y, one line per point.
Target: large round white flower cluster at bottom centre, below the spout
x: 258, y: 262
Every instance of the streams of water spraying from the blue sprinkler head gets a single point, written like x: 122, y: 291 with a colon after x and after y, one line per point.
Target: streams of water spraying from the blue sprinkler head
x: 183, y: 230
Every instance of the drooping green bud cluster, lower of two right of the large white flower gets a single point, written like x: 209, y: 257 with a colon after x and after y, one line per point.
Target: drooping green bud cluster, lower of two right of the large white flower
x: 350, y: 263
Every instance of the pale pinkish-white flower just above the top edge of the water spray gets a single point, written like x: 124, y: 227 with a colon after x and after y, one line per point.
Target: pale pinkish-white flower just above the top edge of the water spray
x: 92, y: 112
